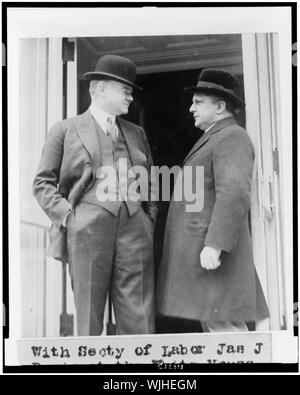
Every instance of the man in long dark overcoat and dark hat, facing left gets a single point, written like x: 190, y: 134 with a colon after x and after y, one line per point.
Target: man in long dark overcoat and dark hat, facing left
x: 207, y: 271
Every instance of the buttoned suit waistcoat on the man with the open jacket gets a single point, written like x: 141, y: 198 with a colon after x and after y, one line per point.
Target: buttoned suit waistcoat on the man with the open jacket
x: 111, y: 189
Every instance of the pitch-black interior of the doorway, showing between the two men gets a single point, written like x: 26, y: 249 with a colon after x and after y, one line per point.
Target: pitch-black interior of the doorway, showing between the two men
x: 162, y: 109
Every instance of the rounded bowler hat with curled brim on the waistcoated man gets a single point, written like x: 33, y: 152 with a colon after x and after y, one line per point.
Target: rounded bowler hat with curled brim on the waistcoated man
x: 115, y: 68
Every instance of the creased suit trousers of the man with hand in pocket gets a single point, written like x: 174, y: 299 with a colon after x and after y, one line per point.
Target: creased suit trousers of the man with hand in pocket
x: 111, y: 253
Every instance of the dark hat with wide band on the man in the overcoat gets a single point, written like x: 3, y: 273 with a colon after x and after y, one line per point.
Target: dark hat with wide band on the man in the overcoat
x: 220, y: 83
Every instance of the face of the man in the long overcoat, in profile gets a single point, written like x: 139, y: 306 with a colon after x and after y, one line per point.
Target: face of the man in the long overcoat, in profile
x: 204, y: 110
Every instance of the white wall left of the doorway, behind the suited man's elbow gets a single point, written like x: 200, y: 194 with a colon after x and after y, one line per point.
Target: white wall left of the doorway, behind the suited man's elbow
x: 40, y: 88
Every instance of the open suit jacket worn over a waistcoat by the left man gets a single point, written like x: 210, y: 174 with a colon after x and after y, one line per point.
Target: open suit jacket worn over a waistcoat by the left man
x: 68, y: 168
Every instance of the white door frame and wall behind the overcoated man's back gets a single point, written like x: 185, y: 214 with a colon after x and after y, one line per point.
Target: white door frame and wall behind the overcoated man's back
x: 269, y: 216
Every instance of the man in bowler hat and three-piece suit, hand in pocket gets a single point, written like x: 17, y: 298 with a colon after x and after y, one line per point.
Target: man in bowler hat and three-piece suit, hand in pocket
x: 104, y: 233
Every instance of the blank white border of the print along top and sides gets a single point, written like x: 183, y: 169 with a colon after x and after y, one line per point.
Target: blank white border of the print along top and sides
x: 51, y: 22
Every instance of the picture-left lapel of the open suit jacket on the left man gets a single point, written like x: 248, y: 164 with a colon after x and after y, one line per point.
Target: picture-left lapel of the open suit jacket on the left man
x: 87, y: 133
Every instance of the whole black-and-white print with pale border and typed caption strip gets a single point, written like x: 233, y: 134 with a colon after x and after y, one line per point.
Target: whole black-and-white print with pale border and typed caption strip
x: 151, y: 172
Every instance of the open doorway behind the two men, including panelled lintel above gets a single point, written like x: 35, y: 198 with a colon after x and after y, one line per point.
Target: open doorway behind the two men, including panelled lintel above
x: 162, y: 109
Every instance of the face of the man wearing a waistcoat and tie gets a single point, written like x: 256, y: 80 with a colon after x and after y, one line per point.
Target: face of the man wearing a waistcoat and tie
x: 116, y: 97
